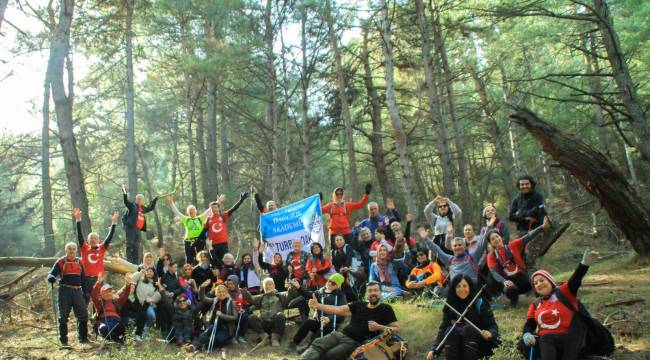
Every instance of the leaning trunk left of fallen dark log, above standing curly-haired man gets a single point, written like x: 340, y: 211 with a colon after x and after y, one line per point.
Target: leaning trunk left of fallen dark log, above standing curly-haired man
x: 493, y: 129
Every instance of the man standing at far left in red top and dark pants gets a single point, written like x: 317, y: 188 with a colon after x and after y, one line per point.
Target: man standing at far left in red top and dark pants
x: 72, y: 287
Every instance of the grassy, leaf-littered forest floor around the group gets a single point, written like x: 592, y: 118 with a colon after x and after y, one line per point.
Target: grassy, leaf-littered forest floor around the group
x: 30, y: 333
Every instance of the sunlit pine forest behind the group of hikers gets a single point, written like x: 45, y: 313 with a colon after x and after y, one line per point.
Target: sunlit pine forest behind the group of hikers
x: 419, y: 98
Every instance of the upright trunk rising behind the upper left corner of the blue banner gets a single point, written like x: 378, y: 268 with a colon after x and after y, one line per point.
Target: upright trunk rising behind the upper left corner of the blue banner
x: 271, y: 106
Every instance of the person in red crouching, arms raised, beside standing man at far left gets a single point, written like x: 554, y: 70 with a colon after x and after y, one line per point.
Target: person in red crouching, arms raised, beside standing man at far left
x: 109, y: 324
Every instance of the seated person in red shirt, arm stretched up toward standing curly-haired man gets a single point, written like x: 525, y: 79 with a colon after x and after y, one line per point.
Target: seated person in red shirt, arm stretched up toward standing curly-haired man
x: 507, y: 265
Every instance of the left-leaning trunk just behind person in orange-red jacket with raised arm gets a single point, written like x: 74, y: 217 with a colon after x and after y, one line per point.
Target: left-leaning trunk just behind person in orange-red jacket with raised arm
x: 343, y: 98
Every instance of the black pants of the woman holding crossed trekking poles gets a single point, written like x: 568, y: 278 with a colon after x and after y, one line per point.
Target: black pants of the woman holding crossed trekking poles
x: 465, y: 344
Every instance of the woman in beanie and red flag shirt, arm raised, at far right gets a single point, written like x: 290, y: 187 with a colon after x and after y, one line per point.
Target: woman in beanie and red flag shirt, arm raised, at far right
x: 558, y: 336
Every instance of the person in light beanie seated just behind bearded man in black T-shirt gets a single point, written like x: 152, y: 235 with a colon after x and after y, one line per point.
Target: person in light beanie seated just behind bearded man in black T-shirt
x: 330, y: 294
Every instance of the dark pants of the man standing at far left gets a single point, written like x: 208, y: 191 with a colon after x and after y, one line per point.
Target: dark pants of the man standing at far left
x: 72, y: 299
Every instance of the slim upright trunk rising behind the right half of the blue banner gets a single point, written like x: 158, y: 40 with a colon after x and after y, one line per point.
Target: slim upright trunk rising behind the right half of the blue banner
x: 304, y: 105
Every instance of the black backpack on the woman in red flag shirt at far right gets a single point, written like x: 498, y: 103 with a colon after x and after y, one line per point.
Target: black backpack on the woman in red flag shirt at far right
x: 598, y: 340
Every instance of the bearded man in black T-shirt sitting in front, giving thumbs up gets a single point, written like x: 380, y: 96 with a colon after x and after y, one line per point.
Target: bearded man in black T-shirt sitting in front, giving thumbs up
x: 368, y: 319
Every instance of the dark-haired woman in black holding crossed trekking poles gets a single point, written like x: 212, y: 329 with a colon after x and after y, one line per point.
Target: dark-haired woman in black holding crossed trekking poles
x: 463, y: 341
